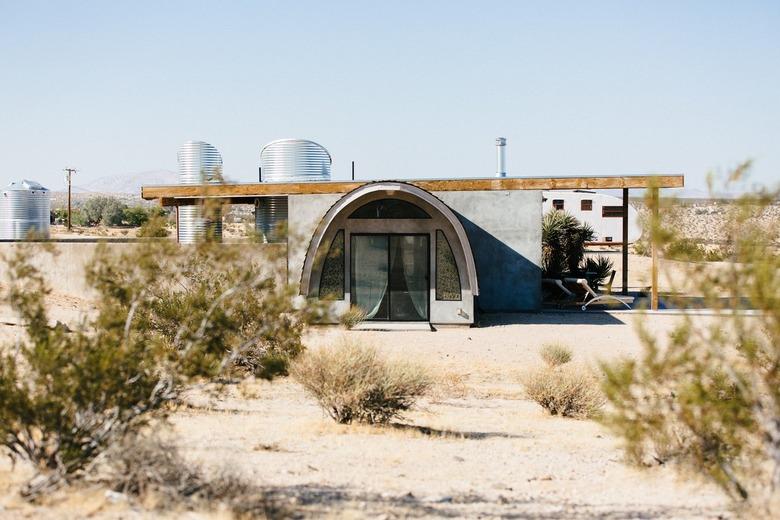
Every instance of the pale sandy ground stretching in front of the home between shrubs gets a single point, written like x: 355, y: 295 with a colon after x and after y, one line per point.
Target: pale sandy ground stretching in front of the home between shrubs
x: 476, y: 448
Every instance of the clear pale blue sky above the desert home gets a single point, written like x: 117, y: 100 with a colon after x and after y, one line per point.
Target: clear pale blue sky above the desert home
x: 405, y: 89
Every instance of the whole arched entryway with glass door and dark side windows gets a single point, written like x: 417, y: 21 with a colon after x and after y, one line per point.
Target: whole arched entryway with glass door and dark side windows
x: 395, y: 251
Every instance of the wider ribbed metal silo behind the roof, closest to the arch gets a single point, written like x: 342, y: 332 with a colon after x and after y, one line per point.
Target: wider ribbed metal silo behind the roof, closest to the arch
x: 287, y: 160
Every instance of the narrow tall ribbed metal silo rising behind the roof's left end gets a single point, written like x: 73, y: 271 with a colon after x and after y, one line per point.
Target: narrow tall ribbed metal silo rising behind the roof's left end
x: 199, y: 163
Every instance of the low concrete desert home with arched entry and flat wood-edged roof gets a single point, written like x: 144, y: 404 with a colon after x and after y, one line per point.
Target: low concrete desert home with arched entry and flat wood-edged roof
x: 433, y: 250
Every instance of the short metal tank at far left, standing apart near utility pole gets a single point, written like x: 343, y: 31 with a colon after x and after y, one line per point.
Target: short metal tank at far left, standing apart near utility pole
x: 25, y: 209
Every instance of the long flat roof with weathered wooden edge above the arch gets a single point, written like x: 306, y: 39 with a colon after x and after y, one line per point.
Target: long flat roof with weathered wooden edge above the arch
x: 239, y: 193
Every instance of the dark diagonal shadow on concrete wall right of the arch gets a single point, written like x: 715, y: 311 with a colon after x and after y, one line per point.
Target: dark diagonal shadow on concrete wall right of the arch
x: 508, y: 281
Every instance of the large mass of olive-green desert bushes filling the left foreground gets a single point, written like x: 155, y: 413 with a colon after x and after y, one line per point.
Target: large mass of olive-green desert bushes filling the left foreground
x: 164, y: 317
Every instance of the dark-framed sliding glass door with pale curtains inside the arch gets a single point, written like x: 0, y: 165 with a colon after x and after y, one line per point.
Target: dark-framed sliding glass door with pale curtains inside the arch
x: 390, y: 276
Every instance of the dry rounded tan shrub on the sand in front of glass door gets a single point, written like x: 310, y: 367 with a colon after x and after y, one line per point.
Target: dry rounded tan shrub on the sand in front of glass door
x: 352, y: 382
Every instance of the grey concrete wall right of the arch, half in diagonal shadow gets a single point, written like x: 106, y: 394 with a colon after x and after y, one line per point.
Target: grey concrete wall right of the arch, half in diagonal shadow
x: 505, y: 231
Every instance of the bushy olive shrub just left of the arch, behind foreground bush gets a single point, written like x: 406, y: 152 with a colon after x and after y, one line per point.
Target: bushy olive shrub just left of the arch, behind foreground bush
x: 252, y: 314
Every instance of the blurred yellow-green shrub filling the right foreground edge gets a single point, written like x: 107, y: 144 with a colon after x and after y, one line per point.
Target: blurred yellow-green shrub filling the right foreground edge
x: 708, y: 395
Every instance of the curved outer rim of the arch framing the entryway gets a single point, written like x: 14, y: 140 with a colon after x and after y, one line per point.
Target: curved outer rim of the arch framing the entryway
x: 391, y: 186
